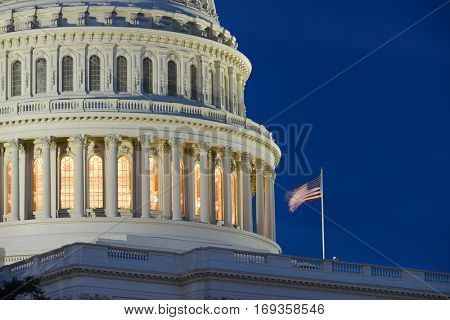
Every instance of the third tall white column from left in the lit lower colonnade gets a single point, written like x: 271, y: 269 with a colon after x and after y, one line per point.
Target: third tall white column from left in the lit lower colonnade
x: 78, y: 150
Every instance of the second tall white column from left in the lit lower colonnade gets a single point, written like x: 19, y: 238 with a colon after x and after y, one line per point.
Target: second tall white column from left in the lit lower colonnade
x: 46, y: 178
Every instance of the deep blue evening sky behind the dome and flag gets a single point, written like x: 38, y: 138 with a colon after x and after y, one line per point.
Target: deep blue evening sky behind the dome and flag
x: 381, y: 130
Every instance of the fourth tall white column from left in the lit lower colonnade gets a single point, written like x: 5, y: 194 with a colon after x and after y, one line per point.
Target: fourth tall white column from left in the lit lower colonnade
x: 111, y: 142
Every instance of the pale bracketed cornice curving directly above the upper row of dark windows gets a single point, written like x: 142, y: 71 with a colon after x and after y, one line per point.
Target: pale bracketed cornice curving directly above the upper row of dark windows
x: 123, y: 36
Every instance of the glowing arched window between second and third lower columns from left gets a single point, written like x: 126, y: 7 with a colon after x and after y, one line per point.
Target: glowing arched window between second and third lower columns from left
x: 67, y: 183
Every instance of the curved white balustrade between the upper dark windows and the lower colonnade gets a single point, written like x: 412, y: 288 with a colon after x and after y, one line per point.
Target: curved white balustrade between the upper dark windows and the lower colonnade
x: 8, y: 111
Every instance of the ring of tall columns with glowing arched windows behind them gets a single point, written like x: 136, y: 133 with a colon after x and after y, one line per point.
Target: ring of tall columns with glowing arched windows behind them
x: 201, y: 196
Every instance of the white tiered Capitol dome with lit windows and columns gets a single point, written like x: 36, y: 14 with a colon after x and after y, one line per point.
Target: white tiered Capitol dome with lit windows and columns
x: 124, y: 122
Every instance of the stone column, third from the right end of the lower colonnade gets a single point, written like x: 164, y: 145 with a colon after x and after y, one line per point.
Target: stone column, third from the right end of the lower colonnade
x: 247, y: 193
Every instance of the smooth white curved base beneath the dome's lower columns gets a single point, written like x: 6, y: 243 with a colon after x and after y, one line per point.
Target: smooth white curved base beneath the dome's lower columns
x: 20, y: 240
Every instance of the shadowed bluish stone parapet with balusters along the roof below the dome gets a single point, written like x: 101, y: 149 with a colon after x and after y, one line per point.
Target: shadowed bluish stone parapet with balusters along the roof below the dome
x: 237, y: 262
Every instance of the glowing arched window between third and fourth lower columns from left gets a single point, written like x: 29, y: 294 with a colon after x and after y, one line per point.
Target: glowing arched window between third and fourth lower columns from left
x: 95, y: 182
